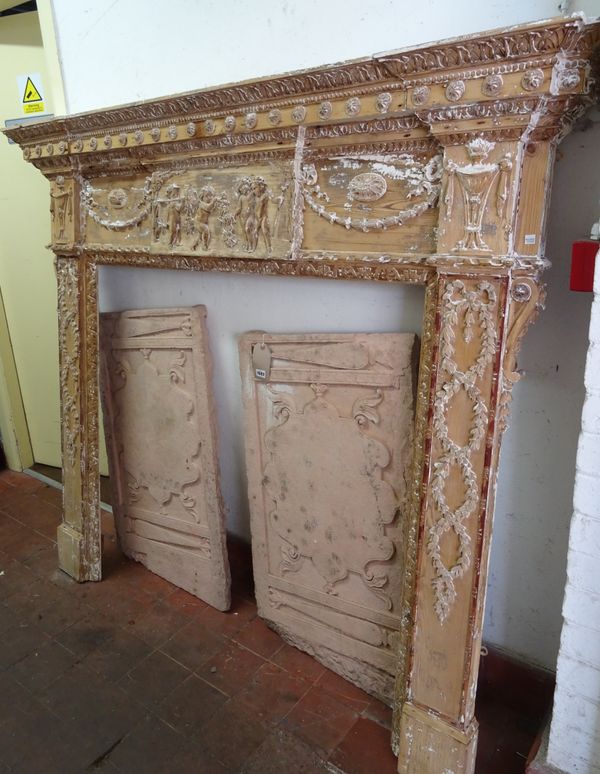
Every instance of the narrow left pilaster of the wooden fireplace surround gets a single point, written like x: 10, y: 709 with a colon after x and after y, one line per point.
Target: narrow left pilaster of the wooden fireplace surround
x: 79, y: 534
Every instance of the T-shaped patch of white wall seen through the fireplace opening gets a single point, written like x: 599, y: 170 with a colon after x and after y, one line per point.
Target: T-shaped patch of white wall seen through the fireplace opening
x: 236, y: 304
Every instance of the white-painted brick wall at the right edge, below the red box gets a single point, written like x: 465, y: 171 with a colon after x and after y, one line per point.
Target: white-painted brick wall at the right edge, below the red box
x: 574, y: 744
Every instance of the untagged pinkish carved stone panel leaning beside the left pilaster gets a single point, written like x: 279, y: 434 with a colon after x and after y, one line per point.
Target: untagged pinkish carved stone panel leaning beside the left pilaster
x: 161, y: 436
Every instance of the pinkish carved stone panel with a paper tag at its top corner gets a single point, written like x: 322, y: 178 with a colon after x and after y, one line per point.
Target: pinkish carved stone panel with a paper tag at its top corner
x: 329, y: 428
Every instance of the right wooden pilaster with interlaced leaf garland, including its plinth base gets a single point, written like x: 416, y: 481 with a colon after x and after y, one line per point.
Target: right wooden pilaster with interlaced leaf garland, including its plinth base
x: 455, y: 513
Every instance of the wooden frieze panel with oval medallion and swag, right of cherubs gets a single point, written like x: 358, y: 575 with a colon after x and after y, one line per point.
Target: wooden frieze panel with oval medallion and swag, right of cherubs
x: 390, y: 198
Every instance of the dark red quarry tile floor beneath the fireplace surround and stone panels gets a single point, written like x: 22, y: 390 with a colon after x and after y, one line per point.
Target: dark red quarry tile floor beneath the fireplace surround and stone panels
x: 135, y: 675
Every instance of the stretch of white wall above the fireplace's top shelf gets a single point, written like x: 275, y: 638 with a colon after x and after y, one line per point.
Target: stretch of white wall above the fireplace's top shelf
x: 114, y: 52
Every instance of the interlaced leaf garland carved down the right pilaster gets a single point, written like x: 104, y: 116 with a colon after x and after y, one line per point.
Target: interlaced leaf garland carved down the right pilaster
x: 476, y: 307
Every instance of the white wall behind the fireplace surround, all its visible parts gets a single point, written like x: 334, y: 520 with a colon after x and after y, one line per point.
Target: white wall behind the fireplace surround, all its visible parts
x: 121, y: 52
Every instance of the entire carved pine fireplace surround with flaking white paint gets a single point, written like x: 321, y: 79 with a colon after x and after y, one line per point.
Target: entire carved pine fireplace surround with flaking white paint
x: 428, y: 166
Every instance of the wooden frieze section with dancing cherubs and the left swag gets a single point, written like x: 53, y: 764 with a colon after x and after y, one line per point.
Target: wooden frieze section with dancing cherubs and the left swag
x: 242, y: 211
